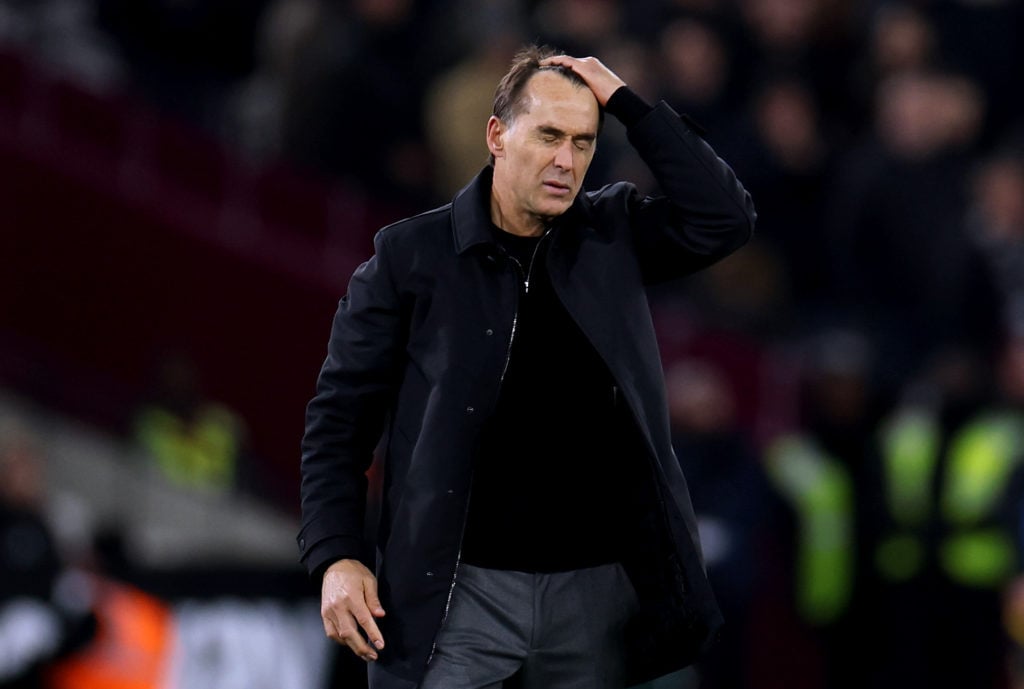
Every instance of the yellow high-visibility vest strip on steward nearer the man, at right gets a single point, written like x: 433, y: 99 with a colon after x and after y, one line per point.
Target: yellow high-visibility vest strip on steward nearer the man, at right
x: 821, y: 491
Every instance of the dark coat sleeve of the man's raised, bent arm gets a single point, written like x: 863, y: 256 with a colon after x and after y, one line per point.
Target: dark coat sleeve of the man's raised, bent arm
x: 704, y: 212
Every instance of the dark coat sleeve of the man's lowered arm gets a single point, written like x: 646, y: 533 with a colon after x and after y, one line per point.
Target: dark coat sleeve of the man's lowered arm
x: 346, y: 418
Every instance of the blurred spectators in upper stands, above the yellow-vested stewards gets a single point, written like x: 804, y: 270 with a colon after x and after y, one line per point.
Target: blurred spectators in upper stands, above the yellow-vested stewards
x: 882, y: 141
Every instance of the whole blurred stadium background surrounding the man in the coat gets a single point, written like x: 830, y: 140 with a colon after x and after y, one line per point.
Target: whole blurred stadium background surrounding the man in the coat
x: 186, y: 187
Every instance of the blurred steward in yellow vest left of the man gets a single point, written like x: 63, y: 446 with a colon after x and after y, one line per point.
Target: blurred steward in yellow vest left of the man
x: 194, y: 442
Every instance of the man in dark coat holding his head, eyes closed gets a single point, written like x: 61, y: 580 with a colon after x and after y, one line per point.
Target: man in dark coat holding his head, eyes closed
x: 534, y: 519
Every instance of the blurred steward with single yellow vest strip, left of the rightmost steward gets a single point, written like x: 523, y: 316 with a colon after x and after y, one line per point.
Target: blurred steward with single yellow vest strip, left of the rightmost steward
x: 818, y: 547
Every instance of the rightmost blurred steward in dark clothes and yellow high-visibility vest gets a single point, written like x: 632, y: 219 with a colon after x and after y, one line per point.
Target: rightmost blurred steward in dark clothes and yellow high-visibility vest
x: 948, y: 486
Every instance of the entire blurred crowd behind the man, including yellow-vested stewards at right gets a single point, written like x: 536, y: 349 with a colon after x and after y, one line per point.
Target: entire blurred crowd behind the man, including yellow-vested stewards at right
x: 847, y: 392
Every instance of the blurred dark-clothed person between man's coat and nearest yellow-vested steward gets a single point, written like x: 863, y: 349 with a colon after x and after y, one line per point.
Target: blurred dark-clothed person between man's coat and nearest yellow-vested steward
x: 731, y: 499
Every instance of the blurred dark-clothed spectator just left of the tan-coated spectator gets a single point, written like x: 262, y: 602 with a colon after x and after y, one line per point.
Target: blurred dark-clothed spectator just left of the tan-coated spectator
x: 355, y: 109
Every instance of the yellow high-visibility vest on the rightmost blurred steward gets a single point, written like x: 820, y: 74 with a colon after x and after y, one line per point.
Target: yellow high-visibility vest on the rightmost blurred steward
x: 980, y: 461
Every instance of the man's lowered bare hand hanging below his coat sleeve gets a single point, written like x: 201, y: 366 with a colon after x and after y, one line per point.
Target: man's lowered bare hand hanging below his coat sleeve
x: 349, y: 602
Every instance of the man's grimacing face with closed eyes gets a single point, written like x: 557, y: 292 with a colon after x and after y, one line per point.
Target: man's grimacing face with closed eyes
x: 542, y: 157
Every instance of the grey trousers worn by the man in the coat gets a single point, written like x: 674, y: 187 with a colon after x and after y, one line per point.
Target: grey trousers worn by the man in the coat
x: 563, y: 630
